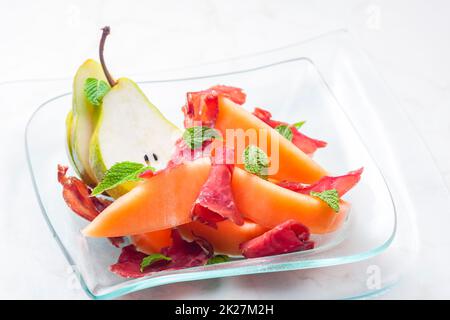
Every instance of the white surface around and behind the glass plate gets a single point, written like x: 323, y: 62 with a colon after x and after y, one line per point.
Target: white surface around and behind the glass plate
x: 406, y: 40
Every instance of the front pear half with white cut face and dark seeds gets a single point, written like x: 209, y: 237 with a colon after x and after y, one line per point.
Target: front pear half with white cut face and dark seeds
x: 129, y: 127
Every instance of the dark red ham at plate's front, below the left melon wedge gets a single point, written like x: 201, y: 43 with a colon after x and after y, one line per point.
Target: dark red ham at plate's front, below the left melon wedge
x: 184, y: 254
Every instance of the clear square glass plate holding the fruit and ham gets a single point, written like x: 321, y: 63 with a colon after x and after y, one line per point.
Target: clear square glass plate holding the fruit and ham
x: 295, y: 83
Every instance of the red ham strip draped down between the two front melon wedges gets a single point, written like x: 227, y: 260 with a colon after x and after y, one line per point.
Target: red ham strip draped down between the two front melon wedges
x: 215, y: 201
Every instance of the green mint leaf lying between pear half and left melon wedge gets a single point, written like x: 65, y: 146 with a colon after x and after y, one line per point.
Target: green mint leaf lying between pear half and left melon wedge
x: 119, y: 173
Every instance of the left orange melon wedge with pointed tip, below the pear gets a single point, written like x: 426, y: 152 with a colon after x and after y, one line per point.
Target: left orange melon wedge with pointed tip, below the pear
x: 162, y: 202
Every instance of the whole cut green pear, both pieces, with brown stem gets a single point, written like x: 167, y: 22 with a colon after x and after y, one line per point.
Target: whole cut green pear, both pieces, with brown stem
x: 126, y: 126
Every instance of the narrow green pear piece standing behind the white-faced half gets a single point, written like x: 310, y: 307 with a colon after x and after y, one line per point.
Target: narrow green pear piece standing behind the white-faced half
x: 80, y: 124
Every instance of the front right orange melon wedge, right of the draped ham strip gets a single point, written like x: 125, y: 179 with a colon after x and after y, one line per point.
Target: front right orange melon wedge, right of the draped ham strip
x: 268, y: 204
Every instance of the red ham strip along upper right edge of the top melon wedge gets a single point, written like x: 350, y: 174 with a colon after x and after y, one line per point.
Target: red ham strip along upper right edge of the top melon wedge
x: 306, y: 144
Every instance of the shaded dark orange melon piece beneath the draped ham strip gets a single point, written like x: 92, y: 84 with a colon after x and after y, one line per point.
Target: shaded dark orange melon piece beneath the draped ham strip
x: 226, y: 238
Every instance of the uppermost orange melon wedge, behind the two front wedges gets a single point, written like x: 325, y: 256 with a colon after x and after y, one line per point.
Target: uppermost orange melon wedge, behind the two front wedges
x: 294, y: 164
